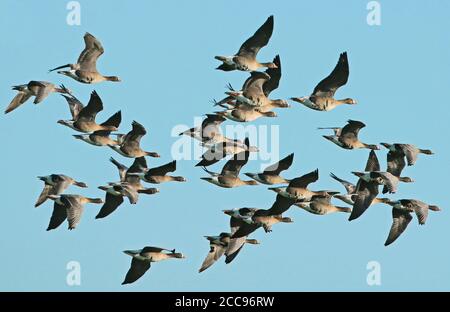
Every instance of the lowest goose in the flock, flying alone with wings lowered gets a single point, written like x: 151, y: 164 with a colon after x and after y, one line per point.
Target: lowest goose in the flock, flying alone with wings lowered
x: 142, y: 259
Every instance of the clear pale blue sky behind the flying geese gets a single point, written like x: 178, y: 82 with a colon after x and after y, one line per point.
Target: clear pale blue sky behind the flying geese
x: 163, y: 51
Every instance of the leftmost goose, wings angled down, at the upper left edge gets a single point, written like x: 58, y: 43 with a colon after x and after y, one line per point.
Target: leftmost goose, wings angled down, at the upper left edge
x: 39, y: 89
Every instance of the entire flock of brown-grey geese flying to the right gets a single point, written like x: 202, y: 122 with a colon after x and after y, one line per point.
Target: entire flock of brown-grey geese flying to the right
x: 245, y: 105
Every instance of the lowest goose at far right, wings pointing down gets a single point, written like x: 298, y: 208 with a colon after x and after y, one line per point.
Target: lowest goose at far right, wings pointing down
x: 401, y: 216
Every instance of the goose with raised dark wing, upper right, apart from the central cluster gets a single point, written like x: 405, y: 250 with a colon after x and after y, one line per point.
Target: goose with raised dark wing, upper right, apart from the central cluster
x: 322, y: 98
